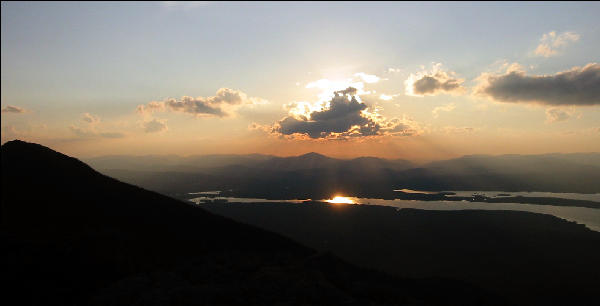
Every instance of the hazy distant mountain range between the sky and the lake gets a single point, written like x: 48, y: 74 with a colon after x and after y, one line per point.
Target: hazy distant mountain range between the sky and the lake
x: 314, y: 175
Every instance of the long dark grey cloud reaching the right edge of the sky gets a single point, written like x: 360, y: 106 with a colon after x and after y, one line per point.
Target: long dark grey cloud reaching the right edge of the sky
x: 578, y: 86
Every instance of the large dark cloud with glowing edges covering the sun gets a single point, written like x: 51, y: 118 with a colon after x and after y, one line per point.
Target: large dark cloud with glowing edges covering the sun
x: 340, y: 118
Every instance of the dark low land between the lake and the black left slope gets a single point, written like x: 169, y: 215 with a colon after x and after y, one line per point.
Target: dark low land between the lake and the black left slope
x: 531, y: 259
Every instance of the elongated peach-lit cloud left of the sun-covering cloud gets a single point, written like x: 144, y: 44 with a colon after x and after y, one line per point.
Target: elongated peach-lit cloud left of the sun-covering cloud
x: 223, y: 104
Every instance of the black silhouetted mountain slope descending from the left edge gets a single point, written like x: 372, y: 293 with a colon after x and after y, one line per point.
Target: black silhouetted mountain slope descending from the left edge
x: 71, y: 236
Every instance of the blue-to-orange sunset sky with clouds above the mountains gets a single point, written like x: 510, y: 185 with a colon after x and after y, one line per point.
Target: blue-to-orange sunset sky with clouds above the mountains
x: 418, y: 81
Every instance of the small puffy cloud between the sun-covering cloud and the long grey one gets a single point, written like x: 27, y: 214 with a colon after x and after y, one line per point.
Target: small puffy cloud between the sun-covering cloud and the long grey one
x: 433, y: 82
